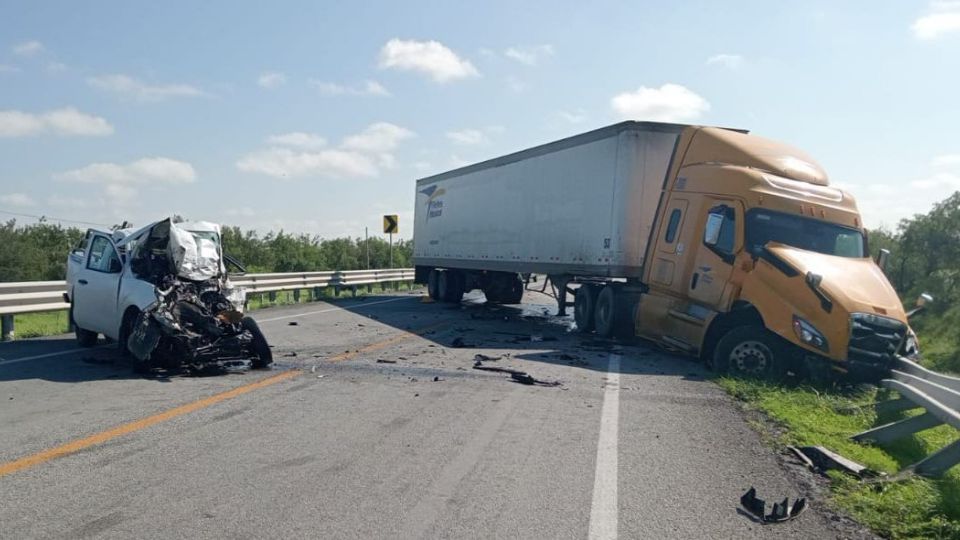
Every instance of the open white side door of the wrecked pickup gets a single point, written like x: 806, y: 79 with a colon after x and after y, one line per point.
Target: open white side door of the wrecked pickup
x: 96, y: 287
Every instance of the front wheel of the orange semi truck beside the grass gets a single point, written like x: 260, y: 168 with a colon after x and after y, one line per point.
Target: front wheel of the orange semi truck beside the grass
x: 751, y: 351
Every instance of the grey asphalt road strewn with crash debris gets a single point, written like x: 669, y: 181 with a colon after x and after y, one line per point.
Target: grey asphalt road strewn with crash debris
x: 372, y: 424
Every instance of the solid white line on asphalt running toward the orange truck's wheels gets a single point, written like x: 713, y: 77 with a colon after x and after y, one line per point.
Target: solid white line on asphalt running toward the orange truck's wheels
x: 604, y: 512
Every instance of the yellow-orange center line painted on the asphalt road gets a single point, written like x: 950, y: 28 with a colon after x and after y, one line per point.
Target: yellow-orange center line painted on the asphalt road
x: 137, y: 425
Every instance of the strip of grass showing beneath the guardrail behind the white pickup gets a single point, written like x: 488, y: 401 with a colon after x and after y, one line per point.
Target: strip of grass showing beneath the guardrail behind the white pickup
x: 51, y: 323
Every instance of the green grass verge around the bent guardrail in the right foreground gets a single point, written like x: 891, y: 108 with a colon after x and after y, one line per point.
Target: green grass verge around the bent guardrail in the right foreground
x: 804, y: 415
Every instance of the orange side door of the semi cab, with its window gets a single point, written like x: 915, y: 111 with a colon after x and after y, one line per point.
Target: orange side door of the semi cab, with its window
x: 721, y: 239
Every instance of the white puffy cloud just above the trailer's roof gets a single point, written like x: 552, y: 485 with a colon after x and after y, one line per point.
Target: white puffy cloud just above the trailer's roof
x: 669, y: 103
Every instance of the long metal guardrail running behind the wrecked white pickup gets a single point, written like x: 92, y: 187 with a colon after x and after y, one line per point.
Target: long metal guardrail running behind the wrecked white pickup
x: 37, y: 296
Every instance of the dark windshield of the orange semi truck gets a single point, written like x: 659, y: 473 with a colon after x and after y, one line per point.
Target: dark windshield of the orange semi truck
x: 801, y: 232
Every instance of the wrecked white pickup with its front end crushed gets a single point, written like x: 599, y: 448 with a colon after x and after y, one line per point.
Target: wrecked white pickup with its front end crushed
x: 163, y: 293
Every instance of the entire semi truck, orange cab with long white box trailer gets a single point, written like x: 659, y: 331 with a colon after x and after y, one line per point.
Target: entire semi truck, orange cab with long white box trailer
x: 709, y: 241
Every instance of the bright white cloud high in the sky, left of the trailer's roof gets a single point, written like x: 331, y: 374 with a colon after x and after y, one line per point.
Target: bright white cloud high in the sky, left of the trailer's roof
x: 429, y: 57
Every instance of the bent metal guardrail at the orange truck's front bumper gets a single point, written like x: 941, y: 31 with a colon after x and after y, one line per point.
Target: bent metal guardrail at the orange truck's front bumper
x: 938, y: 395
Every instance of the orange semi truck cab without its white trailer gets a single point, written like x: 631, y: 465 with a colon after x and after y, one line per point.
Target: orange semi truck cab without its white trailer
x: 760, y: 267
